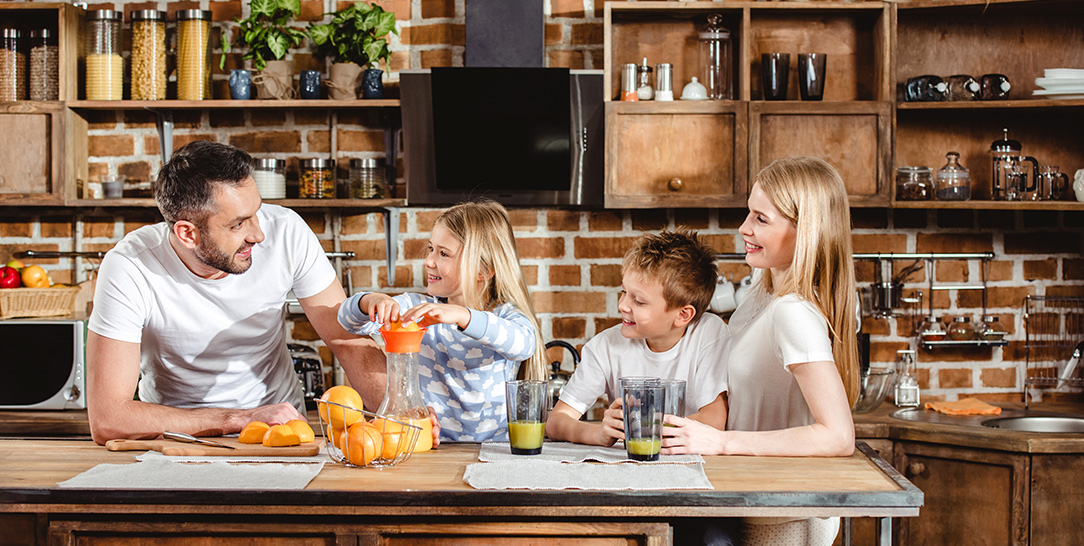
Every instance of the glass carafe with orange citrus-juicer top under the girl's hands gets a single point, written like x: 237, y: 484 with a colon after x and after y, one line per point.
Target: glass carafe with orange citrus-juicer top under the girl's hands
x: 403, y: 399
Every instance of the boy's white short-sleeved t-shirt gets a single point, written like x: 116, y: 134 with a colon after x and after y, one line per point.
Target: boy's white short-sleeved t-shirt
x: 700, y: 359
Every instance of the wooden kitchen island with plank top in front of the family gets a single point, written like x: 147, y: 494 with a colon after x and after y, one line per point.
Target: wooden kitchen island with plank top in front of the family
x: 422, y: 502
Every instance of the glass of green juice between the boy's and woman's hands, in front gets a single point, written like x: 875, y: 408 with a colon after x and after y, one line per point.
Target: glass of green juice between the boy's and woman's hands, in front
x: 643, y: 407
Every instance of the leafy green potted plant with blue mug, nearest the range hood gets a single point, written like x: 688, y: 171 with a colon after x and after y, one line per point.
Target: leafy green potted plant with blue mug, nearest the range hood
x: 356, y: 36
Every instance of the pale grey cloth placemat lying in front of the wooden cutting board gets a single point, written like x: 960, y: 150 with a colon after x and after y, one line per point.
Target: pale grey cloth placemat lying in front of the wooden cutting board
x: 167, y: 475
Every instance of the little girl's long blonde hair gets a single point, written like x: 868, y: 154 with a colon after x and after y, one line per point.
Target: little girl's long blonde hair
x: 489, y: 252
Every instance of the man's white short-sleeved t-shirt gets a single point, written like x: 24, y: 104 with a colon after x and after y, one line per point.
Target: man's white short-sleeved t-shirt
x: 211, y: 343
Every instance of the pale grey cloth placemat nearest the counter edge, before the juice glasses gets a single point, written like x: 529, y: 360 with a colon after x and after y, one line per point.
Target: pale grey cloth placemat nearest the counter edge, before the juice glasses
x: 548, y: 475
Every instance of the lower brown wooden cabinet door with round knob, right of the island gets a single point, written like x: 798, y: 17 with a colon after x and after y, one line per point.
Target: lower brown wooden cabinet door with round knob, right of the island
x: 972, y: 497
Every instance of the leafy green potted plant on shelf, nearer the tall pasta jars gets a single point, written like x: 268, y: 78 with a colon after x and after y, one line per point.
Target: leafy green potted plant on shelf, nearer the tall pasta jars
x: 268, y: 36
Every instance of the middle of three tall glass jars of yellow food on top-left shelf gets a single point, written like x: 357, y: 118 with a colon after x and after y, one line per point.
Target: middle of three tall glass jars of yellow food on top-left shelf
x: 149, y: 56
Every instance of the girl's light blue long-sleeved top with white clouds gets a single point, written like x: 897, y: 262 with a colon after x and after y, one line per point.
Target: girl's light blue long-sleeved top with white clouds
x: 462, y: 373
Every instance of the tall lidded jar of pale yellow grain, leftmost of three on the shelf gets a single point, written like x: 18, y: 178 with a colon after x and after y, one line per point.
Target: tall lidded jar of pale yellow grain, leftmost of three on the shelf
x: 106, y: 69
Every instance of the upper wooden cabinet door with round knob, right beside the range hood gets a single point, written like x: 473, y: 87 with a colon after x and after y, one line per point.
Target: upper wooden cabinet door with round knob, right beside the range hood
x: 676, y: 154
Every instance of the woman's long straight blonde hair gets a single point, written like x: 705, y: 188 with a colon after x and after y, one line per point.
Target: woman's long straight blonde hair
x: 810, y: 193
